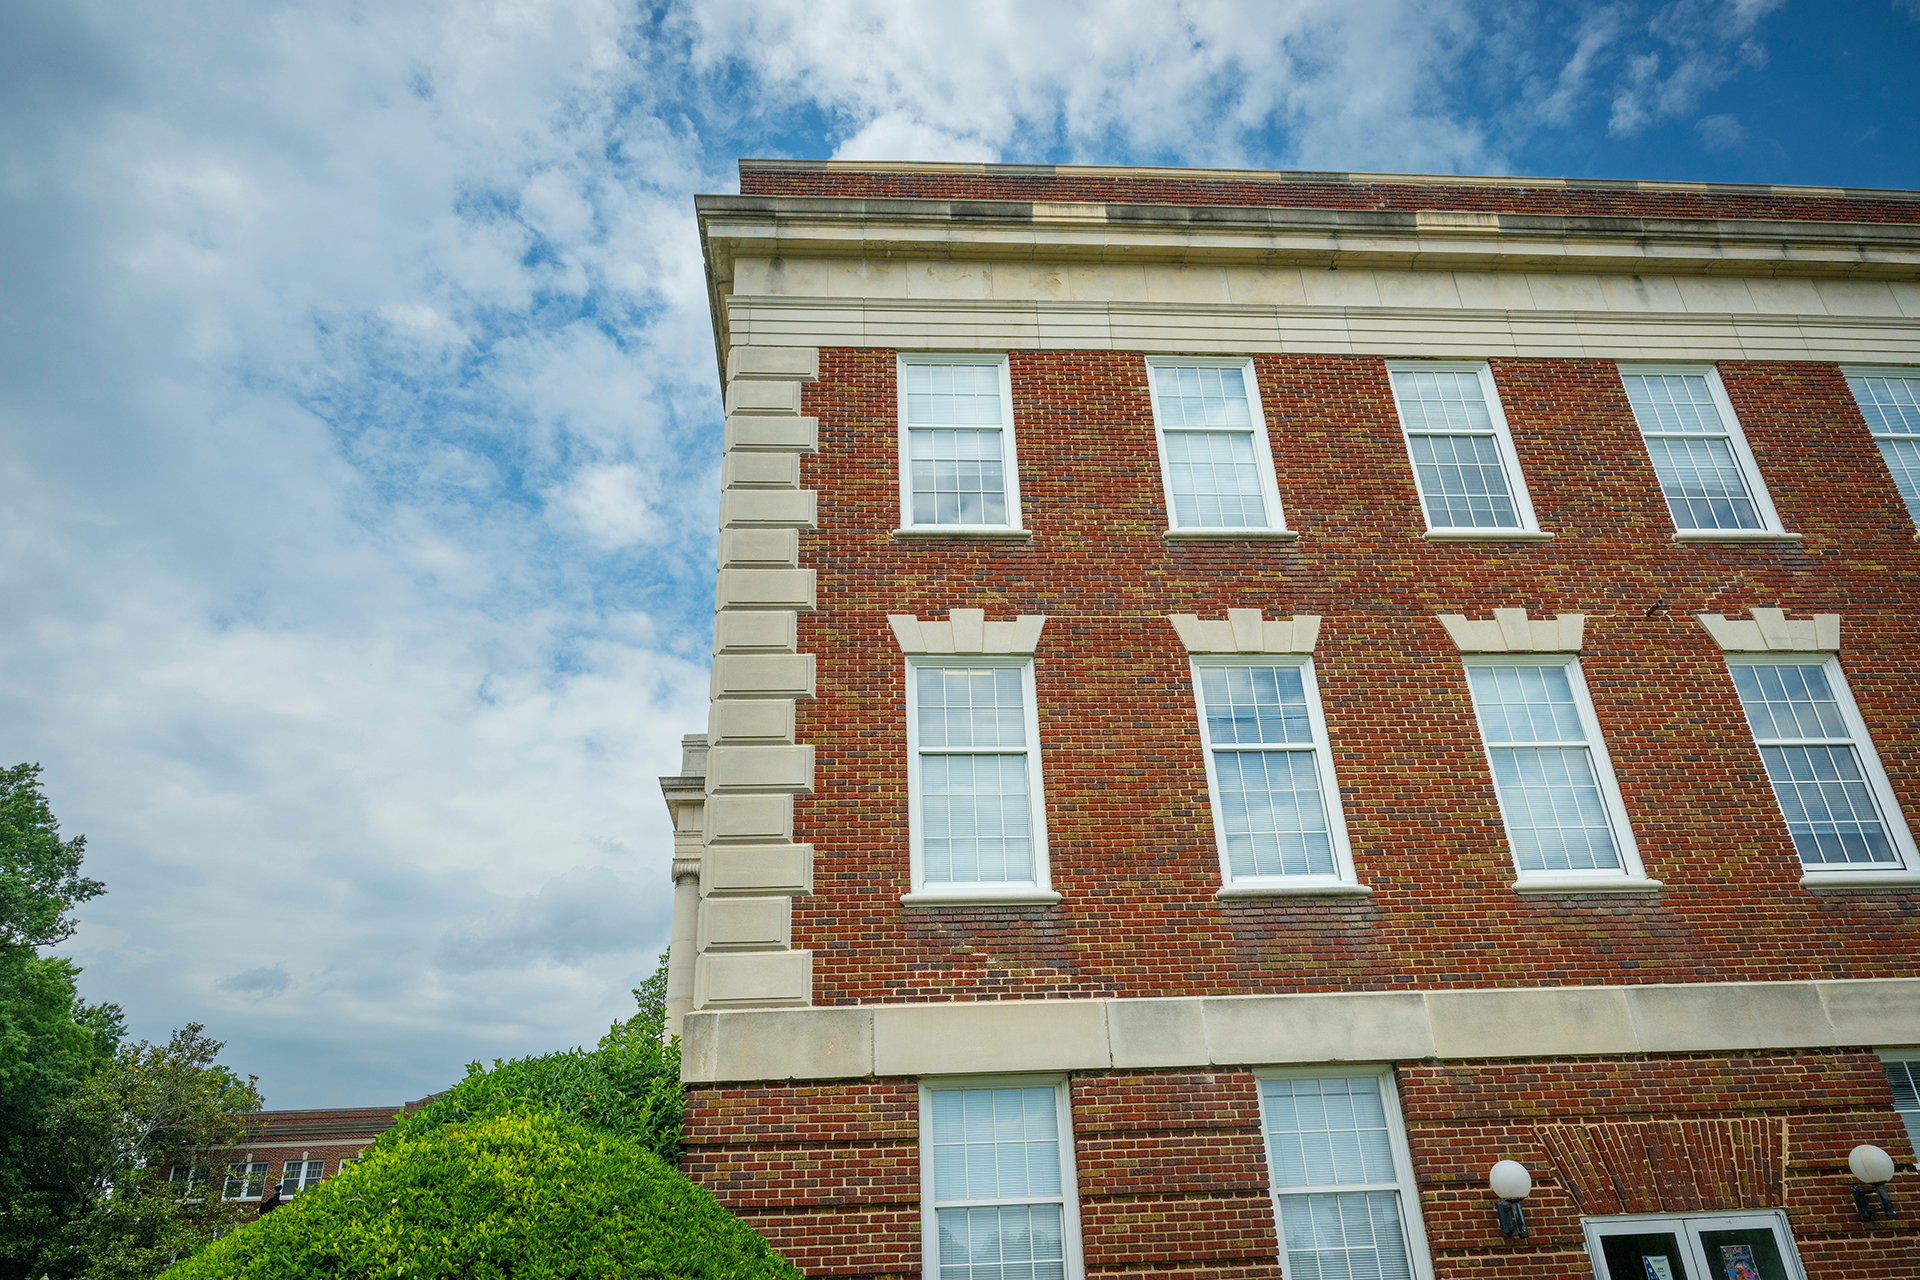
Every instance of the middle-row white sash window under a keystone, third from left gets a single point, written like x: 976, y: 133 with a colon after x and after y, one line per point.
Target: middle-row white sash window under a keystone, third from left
x: 1562, y: 809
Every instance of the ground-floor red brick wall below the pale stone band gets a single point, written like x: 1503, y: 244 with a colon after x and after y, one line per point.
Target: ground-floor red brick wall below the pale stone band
x: 1172, y: 1173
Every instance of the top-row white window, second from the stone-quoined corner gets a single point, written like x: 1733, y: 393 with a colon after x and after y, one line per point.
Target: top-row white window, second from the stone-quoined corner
x: 1214, y: 454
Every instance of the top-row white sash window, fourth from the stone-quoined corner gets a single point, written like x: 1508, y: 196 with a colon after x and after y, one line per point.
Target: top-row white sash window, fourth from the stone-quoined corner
x: 1700, y: 454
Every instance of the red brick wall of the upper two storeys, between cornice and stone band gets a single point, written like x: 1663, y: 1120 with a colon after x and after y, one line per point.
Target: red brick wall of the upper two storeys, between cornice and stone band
x: 1130, y: 830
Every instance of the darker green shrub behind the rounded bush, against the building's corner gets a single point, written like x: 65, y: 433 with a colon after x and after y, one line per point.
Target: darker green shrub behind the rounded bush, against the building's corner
x: 629, y: 1087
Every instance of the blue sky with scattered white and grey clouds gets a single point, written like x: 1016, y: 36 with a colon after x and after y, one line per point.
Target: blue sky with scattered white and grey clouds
x: 358, y: 415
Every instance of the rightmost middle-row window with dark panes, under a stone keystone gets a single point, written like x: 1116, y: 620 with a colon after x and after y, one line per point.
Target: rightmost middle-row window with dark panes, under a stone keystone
x: 1823, y: 767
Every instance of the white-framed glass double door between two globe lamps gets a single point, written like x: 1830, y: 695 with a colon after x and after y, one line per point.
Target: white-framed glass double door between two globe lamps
x: 1694, y: 1246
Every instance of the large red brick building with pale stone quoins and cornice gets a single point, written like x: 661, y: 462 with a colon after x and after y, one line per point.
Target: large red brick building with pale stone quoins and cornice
x: 1243, y: 699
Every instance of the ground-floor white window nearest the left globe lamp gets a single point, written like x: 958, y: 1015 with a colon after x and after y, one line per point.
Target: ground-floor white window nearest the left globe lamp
x: 1343, y: 1185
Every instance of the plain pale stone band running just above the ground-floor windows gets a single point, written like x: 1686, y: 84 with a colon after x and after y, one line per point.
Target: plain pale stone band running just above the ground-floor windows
x: 1301, y: 1030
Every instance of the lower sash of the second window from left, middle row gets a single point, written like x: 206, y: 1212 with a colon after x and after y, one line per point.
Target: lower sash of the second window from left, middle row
x: 1272, y: 815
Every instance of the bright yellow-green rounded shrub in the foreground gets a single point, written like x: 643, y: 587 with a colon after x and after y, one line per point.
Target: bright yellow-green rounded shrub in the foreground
x: 523, y: 1197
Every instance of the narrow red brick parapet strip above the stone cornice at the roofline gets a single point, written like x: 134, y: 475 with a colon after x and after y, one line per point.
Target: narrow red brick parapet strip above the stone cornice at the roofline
x: 1581, y: 201
